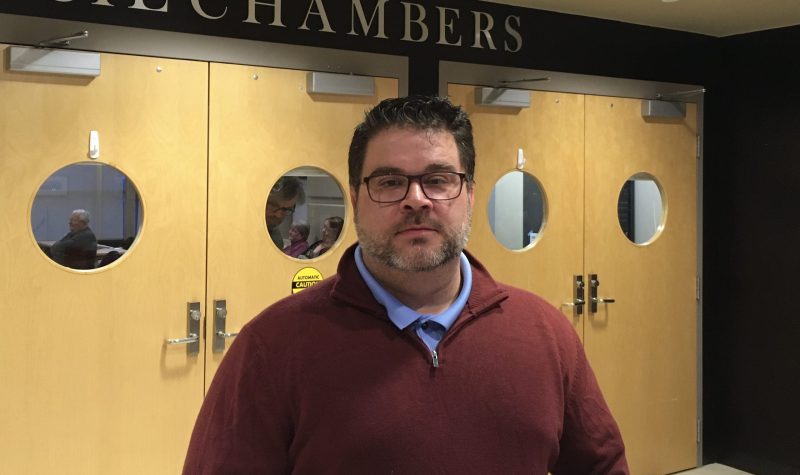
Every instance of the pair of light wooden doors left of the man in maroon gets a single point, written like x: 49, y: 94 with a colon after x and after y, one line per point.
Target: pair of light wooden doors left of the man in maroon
x: 91, y: 385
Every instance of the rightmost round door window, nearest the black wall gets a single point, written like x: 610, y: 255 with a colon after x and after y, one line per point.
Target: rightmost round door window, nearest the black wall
x: 640, y: 208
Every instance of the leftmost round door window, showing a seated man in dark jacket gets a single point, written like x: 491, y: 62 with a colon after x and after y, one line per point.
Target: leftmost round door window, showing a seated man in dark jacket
x: 86, y: 215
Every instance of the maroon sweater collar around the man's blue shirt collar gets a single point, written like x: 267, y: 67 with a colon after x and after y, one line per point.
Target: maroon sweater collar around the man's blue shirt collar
x: 349, y: 287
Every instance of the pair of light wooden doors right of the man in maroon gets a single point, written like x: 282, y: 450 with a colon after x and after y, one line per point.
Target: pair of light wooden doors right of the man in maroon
x: 641, y: 333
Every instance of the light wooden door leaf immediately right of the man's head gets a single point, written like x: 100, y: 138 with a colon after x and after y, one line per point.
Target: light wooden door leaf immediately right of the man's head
x: 550, y: 133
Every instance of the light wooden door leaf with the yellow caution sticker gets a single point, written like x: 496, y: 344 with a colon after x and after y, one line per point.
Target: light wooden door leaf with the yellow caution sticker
x: 263, y: 124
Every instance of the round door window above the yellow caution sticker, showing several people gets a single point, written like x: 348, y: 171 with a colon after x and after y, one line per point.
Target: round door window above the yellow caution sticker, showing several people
x: 305, y: 212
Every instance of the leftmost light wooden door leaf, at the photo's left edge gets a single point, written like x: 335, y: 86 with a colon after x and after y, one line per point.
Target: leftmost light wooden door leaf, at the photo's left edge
x: 88, y: 385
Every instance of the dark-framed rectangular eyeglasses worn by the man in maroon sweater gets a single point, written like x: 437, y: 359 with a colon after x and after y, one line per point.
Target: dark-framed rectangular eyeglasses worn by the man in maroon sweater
x: 391, y: 188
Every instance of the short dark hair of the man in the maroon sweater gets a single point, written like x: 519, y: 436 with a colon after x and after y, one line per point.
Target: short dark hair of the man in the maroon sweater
x: 414, y: 112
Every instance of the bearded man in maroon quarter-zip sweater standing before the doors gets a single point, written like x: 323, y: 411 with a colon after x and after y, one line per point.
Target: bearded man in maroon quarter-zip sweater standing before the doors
x: 411, y: 359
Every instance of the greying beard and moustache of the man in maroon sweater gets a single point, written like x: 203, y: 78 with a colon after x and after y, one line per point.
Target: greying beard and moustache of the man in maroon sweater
x: 421, y: 257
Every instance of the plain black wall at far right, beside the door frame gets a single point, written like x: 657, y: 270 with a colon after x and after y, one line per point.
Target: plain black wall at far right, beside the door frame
x: 752, y: 254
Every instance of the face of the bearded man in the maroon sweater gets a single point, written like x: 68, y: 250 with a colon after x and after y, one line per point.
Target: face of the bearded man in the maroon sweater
x: 417, y: 233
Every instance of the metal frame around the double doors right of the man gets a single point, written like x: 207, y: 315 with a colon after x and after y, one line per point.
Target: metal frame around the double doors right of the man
x: 553, y: 81
